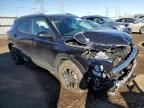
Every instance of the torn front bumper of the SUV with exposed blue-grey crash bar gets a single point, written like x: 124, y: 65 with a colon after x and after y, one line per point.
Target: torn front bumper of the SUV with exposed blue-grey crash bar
x: 121, y: 74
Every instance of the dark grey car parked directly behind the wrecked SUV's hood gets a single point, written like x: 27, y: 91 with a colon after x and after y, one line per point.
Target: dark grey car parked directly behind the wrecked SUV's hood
x: 107, y: 22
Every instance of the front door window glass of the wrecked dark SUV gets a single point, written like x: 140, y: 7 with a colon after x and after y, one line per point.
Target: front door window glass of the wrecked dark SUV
x: 41, y: 26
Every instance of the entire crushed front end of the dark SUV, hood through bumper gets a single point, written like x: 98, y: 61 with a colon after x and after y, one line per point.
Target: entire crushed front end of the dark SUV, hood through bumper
x: 112, y: 59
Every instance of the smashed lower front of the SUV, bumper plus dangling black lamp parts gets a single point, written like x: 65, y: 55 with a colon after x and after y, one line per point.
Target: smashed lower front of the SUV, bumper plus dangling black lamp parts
x: 105, y: 75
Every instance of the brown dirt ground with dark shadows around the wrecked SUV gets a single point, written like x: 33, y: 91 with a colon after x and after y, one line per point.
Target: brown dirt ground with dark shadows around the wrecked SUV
x: 29, y: 86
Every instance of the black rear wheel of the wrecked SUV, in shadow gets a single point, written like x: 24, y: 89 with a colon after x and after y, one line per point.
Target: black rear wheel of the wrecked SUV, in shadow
x: 16, y: 56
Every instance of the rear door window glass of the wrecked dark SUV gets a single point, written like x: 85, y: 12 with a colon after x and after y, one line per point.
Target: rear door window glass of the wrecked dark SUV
x: 25, y: 26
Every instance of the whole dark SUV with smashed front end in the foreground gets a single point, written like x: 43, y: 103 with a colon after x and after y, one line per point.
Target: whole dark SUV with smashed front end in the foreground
x: 78, y: 52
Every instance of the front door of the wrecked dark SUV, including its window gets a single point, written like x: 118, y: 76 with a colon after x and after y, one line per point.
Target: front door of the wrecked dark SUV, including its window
x: 43, y: 45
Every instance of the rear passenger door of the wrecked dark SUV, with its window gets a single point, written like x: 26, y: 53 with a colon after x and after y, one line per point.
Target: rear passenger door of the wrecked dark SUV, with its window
x: 23, y: 36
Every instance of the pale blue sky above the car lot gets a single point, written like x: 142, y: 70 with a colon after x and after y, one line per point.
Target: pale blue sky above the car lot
x: 111, y: 8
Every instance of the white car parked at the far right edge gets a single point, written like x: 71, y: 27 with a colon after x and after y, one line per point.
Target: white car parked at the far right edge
x: 136, y: 25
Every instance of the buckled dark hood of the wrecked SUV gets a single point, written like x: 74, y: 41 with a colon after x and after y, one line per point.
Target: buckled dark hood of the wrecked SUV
x: 103, y: 38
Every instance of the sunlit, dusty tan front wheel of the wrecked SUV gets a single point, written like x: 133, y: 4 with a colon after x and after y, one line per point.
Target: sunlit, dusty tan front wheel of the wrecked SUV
x: 71, y: 77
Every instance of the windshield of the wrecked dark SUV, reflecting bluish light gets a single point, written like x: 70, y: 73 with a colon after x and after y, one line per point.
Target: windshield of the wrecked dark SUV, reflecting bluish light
x: 70, y: 25
